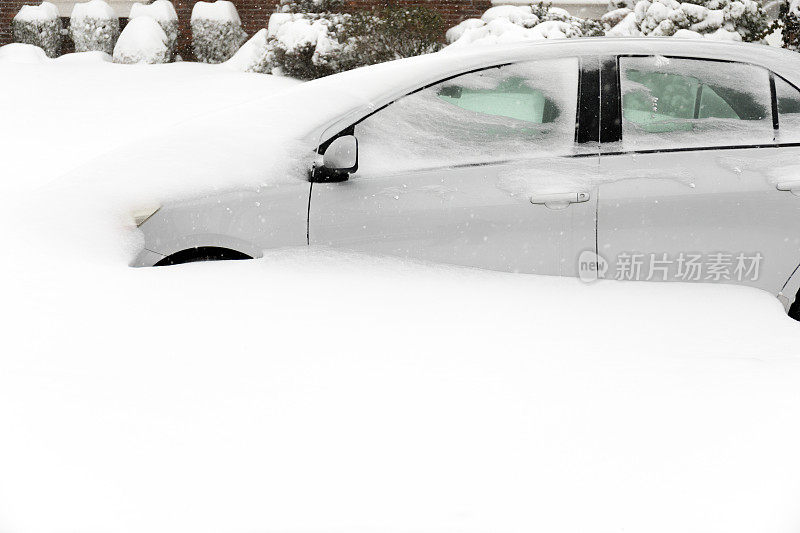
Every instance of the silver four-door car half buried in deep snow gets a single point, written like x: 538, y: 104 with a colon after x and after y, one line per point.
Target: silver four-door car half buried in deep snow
x: 651, y: 159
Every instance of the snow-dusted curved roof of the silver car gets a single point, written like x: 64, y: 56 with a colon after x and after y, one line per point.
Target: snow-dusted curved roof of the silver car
x: 353, y: 94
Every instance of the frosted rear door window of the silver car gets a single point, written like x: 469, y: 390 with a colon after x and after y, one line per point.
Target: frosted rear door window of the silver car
x: 679, y: 103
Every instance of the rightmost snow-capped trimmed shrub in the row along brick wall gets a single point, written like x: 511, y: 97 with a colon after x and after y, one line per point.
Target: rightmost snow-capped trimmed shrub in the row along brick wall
x: 216, y: 31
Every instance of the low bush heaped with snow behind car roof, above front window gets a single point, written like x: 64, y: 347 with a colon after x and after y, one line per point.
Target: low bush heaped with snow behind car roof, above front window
x: 507, y: 23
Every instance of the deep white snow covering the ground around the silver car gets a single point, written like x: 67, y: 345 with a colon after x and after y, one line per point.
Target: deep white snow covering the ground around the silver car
x: 318, y: 392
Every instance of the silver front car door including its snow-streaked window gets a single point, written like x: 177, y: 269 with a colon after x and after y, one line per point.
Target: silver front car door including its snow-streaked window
x: 482, y: 169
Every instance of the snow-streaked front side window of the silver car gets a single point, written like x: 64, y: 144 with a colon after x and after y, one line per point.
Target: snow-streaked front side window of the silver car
x: 497, y: 114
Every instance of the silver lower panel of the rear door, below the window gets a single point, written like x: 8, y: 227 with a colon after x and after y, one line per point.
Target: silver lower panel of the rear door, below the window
x: 698, y: 202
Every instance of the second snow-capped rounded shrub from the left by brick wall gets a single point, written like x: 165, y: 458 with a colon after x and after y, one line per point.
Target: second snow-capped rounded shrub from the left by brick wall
x: 93, y: 25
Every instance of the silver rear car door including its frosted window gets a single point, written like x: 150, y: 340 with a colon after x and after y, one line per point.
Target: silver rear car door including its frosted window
x: 690, y: 187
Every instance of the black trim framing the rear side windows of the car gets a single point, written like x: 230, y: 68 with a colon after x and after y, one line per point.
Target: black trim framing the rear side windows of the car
x: 773, y: 105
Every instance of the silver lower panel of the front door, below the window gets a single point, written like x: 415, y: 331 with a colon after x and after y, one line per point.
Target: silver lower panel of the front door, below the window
x: 467, y: 216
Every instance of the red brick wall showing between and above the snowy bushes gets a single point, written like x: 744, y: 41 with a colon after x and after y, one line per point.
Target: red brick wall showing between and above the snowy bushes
x: 255, y: 14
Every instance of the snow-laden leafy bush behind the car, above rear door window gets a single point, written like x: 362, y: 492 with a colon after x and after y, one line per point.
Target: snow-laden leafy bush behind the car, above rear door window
x: 738, y: 20
